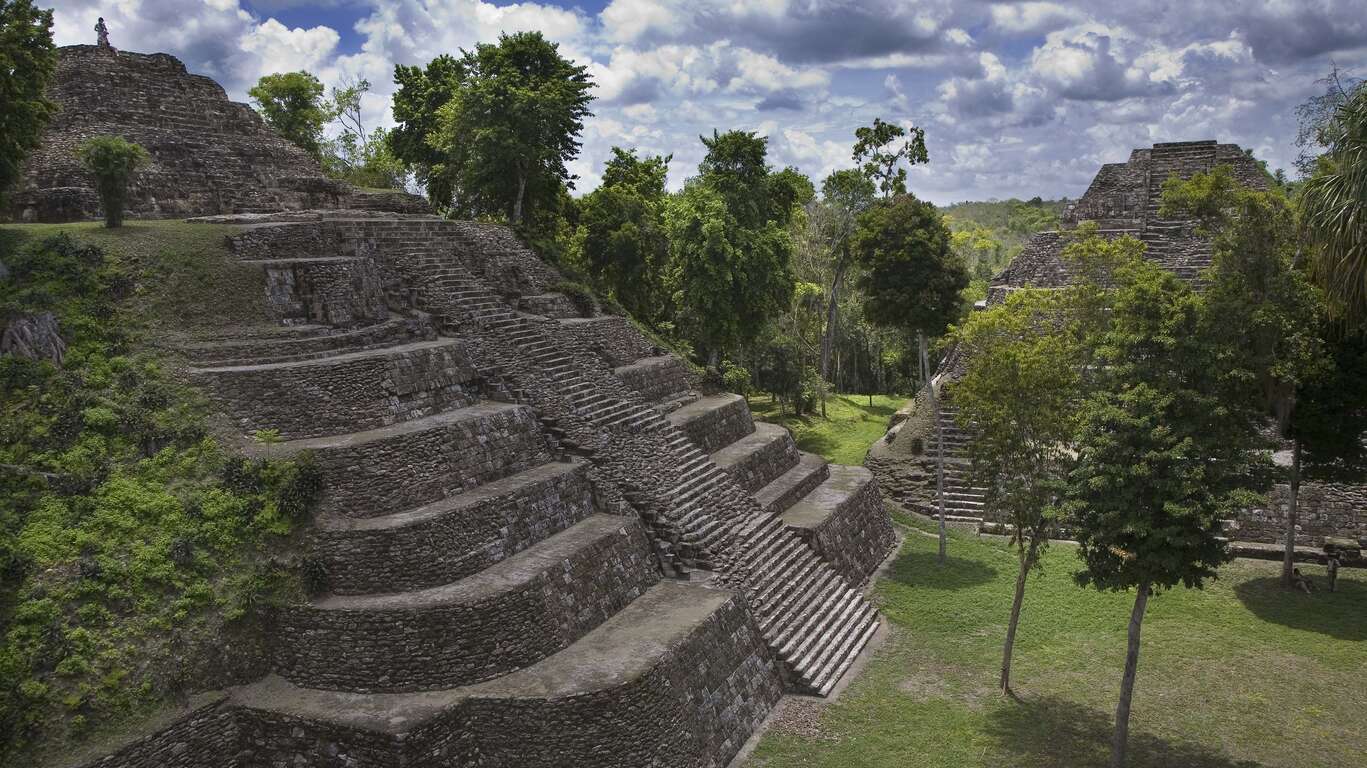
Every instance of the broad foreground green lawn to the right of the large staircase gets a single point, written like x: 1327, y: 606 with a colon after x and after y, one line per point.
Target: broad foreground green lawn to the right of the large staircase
x: 1239, y: 674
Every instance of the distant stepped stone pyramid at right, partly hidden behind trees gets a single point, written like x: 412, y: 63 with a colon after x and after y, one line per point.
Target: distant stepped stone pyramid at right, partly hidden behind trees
x: 1123, y: 200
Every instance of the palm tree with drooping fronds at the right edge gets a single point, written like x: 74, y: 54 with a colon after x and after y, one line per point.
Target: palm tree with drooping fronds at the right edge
x: 1334, y: 210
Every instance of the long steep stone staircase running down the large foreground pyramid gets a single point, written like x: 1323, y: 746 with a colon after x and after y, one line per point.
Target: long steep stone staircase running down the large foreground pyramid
x: 810, y: 614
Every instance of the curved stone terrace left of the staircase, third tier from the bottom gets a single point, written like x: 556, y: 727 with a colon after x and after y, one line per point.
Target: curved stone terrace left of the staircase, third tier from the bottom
x: 453, y: 538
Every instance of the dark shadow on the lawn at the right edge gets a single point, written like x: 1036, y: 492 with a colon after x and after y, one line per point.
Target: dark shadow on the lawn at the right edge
x: 1338, y: 614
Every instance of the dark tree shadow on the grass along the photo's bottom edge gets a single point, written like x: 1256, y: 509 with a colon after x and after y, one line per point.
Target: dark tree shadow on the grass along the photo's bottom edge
x: 1051, y: 732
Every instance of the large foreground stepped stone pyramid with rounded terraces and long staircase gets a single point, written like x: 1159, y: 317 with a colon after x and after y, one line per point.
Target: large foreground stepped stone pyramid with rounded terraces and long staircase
x: 543, y: 542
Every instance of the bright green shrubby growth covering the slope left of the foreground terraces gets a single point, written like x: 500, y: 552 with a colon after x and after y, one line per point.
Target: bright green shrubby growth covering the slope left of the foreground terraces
x: 137, y: 551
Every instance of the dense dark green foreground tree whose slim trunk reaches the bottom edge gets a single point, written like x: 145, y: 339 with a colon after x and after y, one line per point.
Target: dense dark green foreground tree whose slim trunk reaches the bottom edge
x: 1167, y: 449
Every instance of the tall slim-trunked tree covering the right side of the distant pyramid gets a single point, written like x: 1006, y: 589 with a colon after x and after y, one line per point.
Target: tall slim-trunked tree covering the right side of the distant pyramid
x: 1265, y: 312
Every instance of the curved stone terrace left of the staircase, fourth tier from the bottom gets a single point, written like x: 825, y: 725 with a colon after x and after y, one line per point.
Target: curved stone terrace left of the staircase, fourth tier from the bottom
x: 375, y: 472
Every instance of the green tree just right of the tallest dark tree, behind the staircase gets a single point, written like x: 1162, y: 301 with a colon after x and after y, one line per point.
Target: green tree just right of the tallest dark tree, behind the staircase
x: 623, y: 233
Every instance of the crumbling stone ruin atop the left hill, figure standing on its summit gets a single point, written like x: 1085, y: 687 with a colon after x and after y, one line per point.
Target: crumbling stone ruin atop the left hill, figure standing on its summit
x: 208, y: 155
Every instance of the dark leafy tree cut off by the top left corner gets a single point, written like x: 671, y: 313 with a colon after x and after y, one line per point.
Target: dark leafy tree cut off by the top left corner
x: 28, y: 61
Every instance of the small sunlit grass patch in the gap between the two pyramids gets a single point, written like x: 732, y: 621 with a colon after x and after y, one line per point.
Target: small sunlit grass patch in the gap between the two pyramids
x: 844, y: 437
